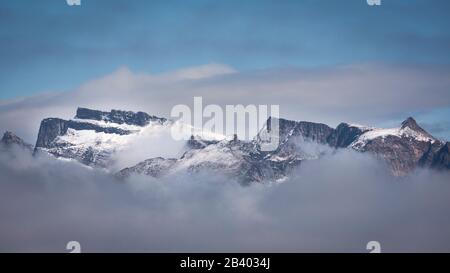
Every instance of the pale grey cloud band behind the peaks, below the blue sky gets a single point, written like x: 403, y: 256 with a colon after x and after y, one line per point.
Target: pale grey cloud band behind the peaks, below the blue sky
x: 359, y: 93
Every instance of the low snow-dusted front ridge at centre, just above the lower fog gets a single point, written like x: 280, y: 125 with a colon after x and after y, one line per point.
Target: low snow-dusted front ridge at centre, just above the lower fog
x: 236, y: 159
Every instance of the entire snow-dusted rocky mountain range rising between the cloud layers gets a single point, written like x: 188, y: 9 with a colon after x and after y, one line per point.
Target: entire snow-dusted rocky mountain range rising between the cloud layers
x: 92, y: 137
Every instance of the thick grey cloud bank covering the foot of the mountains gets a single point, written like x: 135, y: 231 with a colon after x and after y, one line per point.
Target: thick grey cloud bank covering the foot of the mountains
x: 337, y: 203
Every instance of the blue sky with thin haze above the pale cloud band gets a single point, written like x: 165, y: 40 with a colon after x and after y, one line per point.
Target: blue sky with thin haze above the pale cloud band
x: 47, y: 45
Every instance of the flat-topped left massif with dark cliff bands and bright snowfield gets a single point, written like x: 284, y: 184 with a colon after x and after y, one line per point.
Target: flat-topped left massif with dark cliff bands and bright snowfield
x: 92, y: 137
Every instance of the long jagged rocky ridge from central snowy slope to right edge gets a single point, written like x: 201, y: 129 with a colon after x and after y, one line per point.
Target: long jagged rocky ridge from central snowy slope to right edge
x: 403, y: 148
